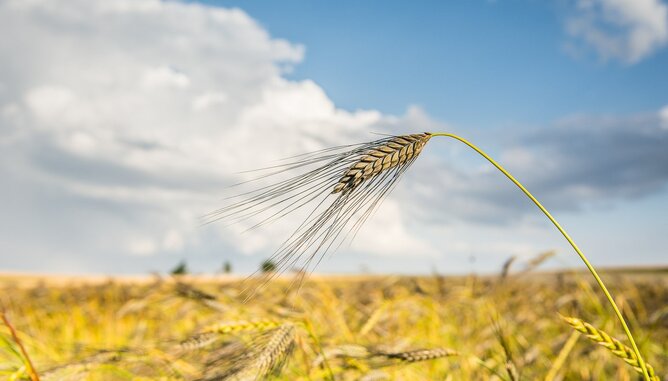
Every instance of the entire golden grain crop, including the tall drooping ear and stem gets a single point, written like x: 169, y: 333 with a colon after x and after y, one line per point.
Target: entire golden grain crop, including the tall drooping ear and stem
x: 334, y: 329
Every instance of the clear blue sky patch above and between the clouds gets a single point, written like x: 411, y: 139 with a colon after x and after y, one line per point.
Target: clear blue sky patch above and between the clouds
x: 473, y: 63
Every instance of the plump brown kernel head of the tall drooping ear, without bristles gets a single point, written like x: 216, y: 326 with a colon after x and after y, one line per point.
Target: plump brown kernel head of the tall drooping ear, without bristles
x: 392, y: 153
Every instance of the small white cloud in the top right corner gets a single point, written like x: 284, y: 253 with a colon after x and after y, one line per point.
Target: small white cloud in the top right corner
x: 628, y: 30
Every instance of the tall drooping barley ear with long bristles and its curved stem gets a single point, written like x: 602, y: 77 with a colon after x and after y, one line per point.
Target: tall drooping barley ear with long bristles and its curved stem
x: 362, y: 176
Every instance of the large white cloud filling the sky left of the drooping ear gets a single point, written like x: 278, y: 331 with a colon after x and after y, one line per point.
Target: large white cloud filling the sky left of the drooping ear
x: 134, y: 116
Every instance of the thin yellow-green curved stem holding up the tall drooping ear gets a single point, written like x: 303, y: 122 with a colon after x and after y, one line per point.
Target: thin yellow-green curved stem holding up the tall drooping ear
x: 570, y: 241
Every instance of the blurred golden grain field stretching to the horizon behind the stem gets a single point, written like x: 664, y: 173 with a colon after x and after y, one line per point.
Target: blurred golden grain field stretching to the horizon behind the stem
x: 332, y: 328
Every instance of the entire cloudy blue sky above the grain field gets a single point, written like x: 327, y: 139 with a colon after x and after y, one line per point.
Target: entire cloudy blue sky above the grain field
x: 123, y: 122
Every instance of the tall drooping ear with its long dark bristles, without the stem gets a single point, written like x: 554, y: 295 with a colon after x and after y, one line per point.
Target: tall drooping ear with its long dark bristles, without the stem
x: 359, y: 176
